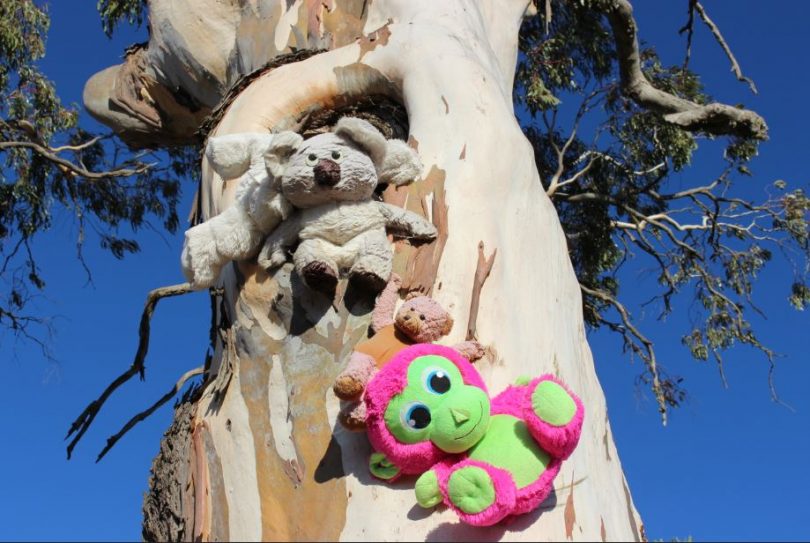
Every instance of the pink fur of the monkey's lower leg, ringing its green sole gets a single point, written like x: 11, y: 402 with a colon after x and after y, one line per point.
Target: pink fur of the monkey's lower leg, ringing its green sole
x: 505, y: 492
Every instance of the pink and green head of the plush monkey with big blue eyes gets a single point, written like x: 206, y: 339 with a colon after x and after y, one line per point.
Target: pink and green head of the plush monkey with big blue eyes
x: 426, y: 403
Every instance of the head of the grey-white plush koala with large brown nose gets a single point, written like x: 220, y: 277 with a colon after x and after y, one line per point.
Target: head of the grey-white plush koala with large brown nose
x: 344, y: 165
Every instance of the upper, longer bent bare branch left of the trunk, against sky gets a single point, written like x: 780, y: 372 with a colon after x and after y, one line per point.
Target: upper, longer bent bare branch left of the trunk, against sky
x: 85, y: 419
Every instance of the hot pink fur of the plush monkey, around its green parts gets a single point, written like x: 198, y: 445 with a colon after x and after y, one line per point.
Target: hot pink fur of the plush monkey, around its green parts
x: 516, y: 401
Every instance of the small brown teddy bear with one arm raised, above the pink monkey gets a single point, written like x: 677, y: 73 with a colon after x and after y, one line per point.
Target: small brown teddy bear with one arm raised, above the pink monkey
x: 420, y: 320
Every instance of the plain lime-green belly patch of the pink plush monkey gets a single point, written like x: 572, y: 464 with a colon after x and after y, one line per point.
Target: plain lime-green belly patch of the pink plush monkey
x: 508, y: 445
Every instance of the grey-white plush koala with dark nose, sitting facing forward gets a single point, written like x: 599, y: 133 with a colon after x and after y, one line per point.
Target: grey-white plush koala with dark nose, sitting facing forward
x: 330, y: 178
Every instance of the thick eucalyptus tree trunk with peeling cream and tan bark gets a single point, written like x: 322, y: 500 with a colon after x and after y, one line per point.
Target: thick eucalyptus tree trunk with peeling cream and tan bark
x: 258, y: 454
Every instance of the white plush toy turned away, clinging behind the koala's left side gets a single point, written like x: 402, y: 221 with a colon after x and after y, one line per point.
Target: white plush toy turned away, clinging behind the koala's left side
x: 237, y: 232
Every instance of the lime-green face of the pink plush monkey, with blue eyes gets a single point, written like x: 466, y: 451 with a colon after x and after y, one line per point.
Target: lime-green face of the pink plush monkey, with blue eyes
x: 437, y: 406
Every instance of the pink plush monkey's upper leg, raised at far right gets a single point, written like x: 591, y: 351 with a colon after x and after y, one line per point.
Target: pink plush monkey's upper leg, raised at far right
x: 556, y: 437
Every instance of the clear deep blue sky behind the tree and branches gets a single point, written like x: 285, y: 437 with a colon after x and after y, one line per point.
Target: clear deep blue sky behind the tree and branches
x: 730, y: 465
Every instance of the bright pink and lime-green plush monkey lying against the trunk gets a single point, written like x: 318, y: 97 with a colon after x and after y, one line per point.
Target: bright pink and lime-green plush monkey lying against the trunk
x: 429, y: 414
